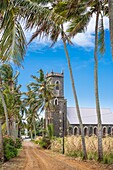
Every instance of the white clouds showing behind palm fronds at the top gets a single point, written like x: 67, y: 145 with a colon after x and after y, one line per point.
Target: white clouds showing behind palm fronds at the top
x: 85, y: 40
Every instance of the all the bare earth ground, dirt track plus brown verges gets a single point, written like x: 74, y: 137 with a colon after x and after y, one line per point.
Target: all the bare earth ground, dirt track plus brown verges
x: 32, y: 157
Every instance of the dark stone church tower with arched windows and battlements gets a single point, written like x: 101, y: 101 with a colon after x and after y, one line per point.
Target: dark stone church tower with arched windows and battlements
x: 58, y: 117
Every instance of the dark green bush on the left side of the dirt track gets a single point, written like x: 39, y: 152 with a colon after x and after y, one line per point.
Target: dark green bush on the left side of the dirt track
x: 10, y: 150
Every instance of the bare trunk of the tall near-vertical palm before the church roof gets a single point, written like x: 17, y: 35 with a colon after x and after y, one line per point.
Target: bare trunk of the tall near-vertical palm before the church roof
x: 100, y: 149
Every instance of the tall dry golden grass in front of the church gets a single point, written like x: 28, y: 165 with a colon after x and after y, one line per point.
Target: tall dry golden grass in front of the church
x: 73, y: 147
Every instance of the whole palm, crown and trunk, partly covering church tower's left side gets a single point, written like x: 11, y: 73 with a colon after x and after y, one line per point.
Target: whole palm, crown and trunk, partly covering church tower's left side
x: 38, y: 98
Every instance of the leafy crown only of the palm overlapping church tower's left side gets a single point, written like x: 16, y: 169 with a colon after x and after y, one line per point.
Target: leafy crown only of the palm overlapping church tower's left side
x: 43, y: 90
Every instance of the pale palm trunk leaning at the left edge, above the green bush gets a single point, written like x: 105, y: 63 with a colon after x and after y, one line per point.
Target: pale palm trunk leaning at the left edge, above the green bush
x: 5, y: 112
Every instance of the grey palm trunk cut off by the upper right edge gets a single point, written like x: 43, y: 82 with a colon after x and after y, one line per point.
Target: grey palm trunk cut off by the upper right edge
x: 110, y: 2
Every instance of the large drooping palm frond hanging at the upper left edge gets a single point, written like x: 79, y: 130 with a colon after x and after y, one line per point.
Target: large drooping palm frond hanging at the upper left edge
x: 12, y: 43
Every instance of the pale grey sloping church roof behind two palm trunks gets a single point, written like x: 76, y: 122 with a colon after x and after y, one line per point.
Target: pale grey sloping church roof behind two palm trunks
x: 89, y: 116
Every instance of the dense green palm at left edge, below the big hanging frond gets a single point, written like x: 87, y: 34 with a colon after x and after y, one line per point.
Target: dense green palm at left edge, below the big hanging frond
x: 10, y: 96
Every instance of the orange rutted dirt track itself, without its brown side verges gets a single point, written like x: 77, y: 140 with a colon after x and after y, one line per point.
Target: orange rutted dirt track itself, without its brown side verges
x: 40, y: 160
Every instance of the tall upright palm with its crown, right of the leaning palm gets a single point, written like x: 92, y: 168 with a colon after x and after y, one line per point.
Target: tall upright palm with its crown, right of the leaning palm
x: 96, y: 7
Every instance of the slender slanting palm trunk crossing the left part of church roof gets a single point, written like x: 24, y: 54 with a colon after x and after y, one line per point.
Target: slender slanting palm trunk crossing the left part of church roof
x: 76, y: 99
